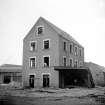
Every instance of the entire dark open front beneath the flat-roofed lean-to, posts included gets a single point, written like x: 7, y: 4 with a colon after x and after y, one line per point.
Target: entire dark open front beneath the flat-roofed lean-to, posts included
x: 75, y: 78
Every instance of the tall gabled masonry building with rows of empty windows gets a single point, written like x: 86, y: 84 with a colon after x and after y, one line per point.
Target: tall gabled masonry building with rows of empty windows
x: 49, y: 54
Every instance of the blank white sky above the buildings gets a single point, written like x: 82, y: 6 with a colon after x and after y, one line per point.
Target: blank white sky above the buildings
x: 83, y: 19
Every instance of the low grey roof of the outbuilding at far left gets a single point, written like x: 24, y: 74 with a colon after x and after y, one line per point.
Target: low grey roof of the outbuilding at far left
x: 10, y: 68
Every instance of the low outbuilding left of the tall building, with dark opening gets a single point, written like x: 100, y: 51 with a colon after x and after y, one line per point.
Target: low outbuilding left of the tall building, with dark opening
x: 9, y: 73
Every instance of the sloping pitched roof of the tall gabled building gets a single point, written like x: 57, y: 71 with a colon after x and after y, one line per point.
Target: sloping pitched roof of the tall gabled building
x: 61, y: 32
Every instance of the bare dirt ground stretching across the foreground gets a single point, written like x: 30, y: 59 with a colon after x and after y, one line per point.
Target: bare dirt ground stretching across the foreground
x: 74, y: 96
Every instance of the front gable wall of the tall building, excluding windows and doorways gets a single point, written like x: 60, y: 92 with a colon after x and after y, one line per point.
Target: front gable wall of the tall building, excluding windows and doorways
x: 53, y: 52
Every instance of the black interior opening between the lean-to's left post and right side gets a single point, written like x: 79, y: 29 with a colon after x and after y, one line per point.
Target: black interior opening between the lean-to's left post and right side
x: 75, y: 78
